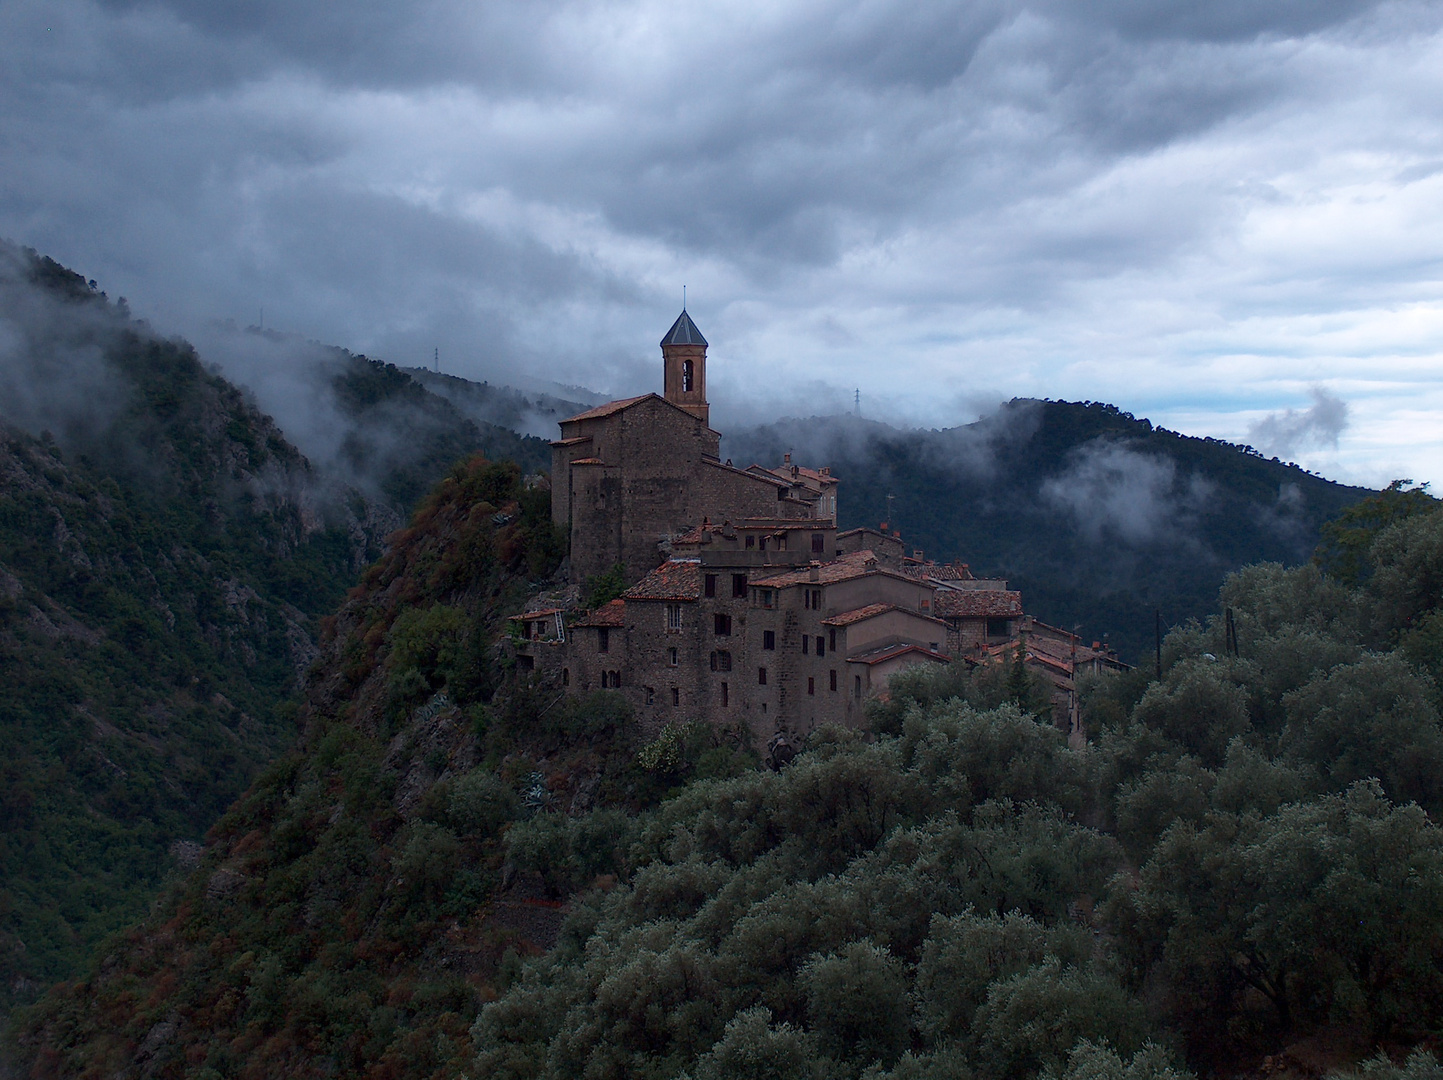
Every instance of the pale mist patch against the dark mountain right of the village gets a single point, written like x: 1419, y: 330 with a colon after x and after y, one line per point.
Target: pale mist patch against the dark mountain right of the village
x: 1116, y: 493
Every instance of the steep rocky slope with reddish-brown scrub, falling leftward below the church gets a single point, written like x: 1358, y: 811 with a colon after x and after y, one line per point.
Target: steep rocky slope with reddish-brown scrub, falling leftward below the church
x: 347, y: 910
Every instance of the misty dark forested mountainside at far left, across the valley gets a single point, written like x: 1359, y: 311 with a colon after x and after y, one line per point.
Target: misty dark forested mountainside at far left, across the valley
x: 164, y: 558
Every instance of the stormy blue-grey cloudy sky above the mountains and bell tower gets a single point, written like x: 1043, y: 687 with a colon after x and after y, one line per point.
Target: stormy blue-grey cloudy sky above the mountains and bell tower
x: 1226, y: 216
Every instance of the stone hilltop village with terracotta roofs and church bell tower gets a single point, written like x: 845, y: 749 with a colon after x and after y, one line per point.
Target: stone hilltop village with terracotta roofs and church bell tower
x: 745, y: 604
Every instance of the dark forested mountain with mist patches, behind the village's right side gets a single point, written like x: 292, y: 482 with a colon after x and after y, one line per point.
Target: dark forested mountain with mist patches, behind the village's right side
x: 1099, y: 518
